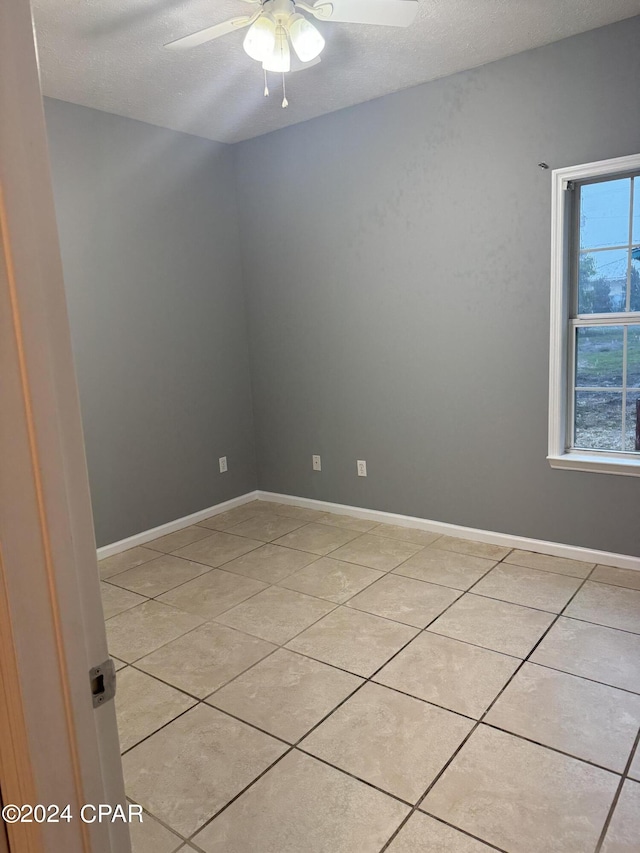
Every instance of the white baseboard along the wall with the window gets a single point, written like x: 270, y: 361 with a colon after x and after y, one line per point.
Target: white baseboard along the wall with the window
x: 554, y: 549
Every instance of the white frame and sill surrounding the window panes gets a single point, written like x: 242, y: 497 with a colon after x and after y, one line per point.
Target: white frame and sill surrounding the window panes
x: 560, y: 358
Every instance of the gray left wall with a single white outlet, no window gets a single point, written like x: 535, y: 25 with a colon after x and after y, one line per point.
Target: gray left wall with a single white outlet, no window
x: 150, y: 245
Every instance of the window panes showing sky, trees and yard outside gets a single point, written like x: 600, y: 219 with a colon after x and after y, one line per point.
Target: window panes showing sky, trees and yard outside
x: 607, y: 347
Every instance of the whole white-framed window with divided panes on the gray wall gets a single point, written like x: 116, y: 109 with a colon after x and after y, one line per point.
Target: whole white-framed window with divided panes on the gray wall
x: 594, y: 410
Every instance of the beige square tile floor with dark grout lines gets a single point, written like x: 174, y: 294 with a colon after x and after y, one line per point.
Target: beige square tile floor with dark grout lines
x: 291, y: 681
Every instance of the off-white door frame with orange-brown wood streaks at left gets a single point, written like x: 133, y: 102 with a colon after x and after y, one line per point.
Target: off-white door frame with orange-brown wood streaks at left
x: 54, y: 747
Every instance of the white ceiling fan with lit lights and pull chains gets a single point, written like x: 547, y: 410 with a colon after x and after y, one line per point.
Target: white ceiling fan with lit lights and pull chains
x: 277, y: 23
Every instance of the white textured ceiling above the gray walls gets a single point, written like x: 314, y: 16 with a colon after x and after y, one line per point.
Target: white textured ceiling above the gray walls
x: 109, y: 55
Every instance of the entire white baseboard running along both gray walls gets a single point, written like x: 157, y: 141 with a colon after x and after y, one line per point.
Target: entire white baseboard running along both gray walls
x: 554, y: 549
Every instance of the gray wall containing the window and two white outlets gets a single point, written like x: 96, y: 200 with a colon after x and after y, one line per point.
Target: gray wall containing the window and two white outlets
x: 396, y: 260
